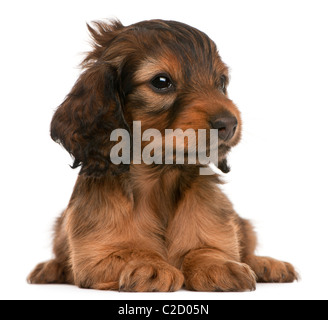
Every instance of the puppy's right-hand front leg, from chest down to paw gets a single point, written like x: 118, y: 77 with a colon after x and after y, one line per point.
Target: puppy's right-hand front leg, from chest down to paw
x: 207, y: 248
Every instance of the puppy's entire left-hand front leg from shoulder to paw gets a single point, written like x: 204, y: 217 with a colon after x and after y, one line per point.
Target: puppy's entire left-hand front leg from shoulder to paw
x: 114, y: 247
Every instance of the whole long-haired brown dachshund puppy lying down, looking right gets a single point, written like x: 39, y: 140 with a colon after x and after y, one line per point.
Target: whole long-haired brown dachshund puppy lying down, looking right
x: 139, y: 227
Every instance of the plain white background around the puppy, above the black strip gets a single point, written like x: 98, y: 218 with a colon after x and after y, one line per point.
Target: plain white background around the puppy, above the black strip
x: 277, y: 52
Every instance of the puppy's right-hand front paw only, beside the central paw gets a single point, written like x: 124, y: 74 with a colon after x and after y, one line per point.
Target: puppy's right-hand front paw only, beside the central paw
x: 225, y: 276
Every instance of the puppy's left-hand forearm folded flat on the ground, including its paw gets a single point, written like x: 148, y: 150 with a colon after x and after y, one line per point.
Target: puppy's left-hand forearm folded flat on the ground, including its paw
x: 132, y: 270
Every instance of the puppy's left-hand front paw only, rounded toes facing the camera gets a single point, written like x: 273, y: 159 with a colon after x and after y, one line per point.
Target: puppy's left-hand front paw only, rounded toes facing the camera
x: 150, y: 276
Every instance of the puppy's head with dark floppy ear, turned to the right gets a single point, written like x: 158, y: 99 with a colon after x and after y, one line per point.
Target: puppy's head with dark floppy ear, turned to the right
x: 165, y: 74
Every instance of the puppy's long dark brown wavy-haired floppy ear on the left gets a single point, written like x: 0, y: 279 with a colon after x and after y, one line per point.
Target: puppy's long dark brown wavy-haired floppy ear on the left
x: 84, y: 121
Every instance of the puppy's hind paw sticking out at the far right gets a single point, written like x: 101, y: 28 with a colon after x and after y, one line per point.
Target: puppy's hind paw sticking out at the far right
x: 270, y: 270
